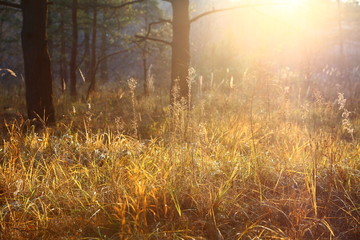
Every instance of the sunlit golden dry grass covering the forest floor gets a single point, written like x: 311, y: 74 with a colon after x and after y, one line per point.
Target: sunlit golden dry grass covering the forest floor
x: 240, y: 164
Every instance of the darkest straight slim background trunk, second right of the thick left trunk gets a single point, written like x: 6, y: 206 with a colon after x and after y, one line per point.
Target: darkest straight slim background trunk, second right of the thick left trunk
x: 73, y: 91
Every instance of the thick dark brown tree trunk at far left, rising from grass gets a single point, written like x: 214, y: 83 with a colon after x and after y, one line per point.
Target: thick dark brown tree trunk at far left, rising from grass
x: 38, y: 77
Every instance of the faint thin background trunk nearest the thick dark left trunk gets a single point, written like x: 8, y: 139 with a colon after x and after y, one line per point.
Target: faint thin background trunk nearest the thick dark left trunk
x: 62, y: 70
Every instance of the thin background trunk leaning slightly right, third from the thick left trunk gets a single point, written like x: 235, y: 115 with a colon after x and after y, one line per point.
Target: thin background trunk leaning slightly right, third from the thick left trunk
x: 93, y: 53
